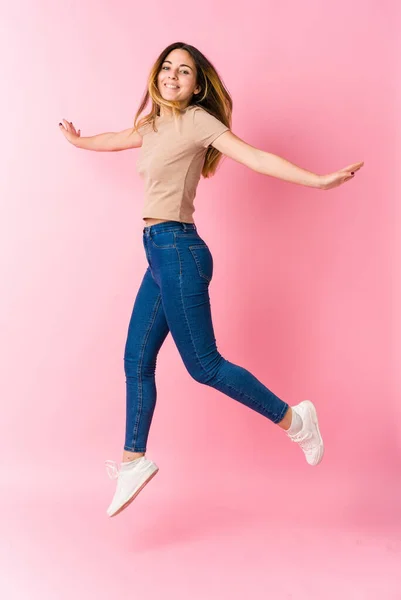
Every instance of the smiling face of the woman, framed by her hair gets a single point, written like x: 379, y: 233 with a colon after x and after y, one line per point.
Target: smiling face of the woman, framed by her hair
x: 177, y: 77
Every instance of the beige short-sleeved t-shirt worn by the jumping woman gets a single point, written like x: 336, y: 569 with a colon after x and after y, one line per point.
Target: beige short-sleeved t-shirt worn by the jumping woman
x: 170, y: 162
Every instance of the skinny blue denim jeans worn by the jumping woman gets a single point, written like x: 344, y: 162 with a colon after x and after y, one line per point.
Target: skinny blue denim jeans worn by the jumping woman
x: 174, y: 296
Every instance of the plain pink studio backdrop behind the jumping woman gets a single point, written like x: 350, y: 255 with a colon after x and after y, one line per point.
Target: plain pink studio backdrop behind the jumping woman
x: 305, y: 294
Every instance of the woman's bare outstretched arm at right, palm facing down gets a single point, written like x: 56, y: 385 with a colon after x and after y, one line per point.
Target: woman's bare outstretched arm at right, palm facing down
x: 270, y: 164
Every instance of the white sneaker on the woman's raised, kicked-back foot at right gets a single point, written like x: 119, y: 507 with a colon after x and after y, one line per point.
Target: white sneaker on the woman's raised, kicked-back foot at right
x: 309, y: 437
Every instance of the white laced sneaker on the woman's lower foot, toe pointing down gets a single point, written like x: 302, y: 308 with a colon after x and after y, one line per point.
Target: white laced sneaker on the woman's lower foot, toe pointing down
x: 131, y: 479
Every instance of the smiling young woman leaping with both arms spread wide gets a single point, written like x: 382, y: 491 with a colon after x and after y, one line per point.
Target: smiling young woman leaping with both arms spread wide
x: 183, y: 137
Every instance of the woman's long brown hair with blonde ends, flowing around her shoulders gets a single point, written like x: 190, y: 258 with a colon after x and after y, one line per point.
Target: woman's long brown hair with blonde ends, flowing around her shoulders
x: 213, y: 97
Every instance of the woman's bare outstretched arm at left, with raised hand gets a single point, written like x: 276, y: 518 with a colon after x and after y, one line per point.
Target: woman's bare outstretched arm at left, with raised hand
x: 103, y: 142
